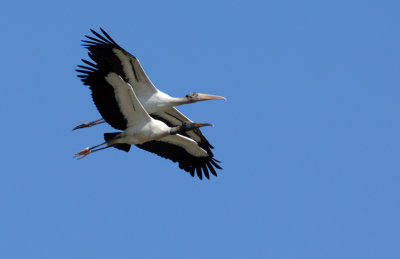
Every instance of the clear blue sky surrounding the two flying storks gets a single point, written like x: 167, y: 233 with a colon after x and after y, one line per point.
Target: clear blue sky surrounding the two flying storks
x: 309, y: 135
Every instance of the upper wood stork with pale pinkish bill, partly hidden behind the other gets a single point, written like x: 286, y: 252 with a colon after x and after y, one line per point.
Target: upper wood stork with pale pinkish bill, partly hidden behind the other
x: 105, y: 49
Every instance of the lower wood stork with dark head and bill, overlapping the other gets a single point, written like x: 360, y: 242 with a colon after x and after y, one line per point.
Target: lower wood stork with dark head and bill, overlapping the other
x: 117, y: 103
